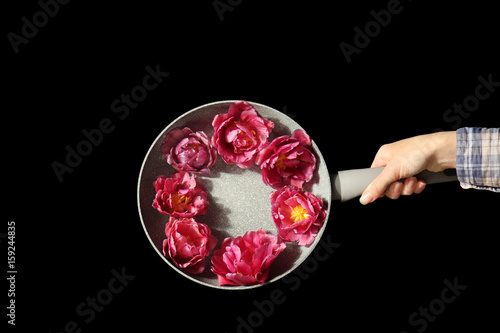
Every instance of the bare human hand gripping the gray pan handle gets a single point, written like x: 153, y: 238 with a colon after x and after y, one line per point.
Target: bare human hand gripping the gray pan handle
x: 404, y: 159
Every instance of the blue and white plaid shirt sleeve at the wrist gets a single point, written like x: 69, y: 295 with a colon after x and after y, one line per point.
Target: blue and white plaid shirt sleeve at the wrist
x: 478, y: 158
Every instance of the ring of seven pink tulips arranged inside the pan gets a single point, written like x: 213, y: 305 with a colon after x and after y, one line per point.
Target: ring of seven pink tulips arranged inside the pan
x: 240, y: 137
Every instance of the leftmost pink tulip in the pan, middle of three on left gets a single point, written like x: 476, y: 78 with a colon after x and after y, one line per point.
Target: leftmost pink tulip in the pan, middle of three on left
x: 180, y: 196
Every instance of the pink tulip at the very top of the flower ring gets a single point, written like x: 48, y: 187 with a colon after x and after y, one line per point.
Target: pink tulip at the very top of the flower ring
x: 240, y: 134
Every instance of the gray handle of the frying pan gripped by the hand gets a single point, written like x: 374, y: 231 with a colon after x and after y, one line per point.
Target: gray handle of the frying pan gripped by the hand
x: 349, y: 184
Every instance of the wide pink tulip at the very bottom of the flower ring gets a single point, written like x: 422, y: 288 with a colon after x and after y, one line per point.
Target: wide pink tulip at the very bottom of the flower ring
x: 245, y: 260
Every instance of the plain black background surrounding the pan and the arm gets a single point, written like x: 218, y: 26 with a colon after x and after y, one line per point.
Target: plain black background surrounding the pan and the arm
x: 393, y: 257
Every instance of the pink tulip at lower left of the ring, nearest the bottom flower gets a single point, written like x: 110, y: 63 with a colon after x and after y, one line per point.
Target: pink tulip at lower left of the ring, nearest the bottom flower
x: 188, y: 243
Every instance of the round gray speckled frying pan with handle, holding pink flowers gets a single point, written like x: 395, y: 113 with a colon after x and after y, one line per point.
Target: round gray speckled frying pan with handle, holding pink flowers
x: 239, y: 200
